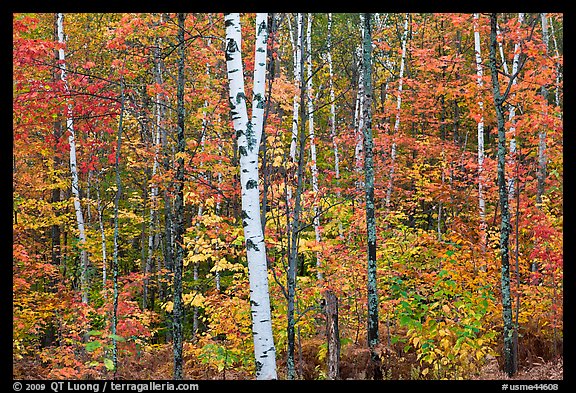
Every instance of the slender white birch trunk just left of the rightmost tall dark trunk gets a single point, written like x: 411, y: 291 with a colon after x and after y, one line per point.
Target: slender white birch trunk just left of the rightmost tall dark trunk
x: 479, y: 73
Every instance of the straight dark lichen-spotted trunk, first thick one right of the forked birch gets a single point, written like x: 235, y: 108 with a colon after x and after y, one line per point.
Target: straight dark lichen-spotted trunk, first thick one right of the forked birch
x: 373, y: 337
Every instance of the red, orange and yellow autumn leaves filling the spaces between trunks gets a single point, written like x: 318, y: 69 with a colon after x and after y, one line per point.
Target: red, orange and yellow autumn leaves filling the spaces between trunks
x: 438, y: 290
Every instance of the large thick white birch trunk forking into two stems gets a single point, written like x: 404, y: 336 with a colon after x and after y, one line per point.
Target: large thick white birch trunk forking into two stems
x: 249, y: 133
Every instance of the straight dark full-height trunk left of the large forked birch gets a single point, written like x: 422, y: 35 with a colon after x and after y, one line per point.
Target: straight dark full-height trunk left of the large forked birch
x: 178, y: 310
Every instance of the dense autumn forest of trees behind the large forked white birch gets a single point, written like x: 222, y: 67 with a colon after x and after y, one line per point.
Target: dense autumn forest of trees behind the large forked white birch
x: 129, y: 249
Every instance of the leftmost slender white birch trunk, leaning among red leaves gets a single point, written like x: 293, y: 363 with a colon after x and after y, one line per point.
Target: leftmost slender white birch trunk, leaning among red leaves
x: 73, y: 165
